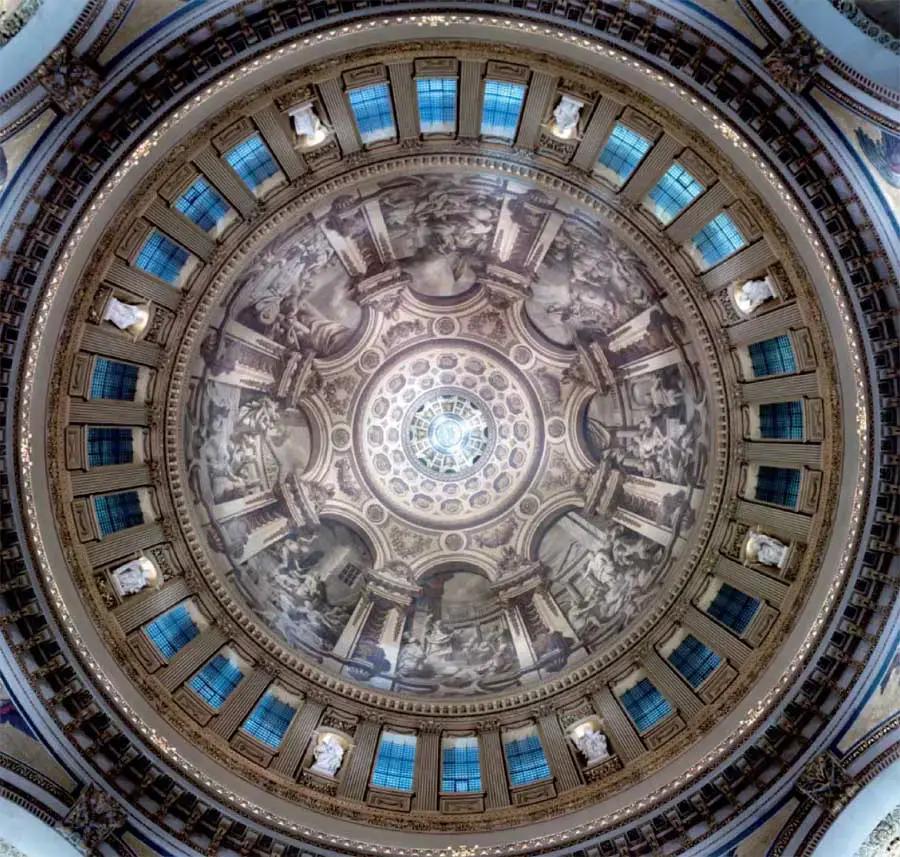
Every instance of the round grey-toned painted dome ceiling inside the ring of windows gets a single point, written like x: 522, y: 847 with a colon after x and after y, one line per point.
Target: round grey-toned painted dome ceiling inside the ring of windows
x: 447, y: 435
